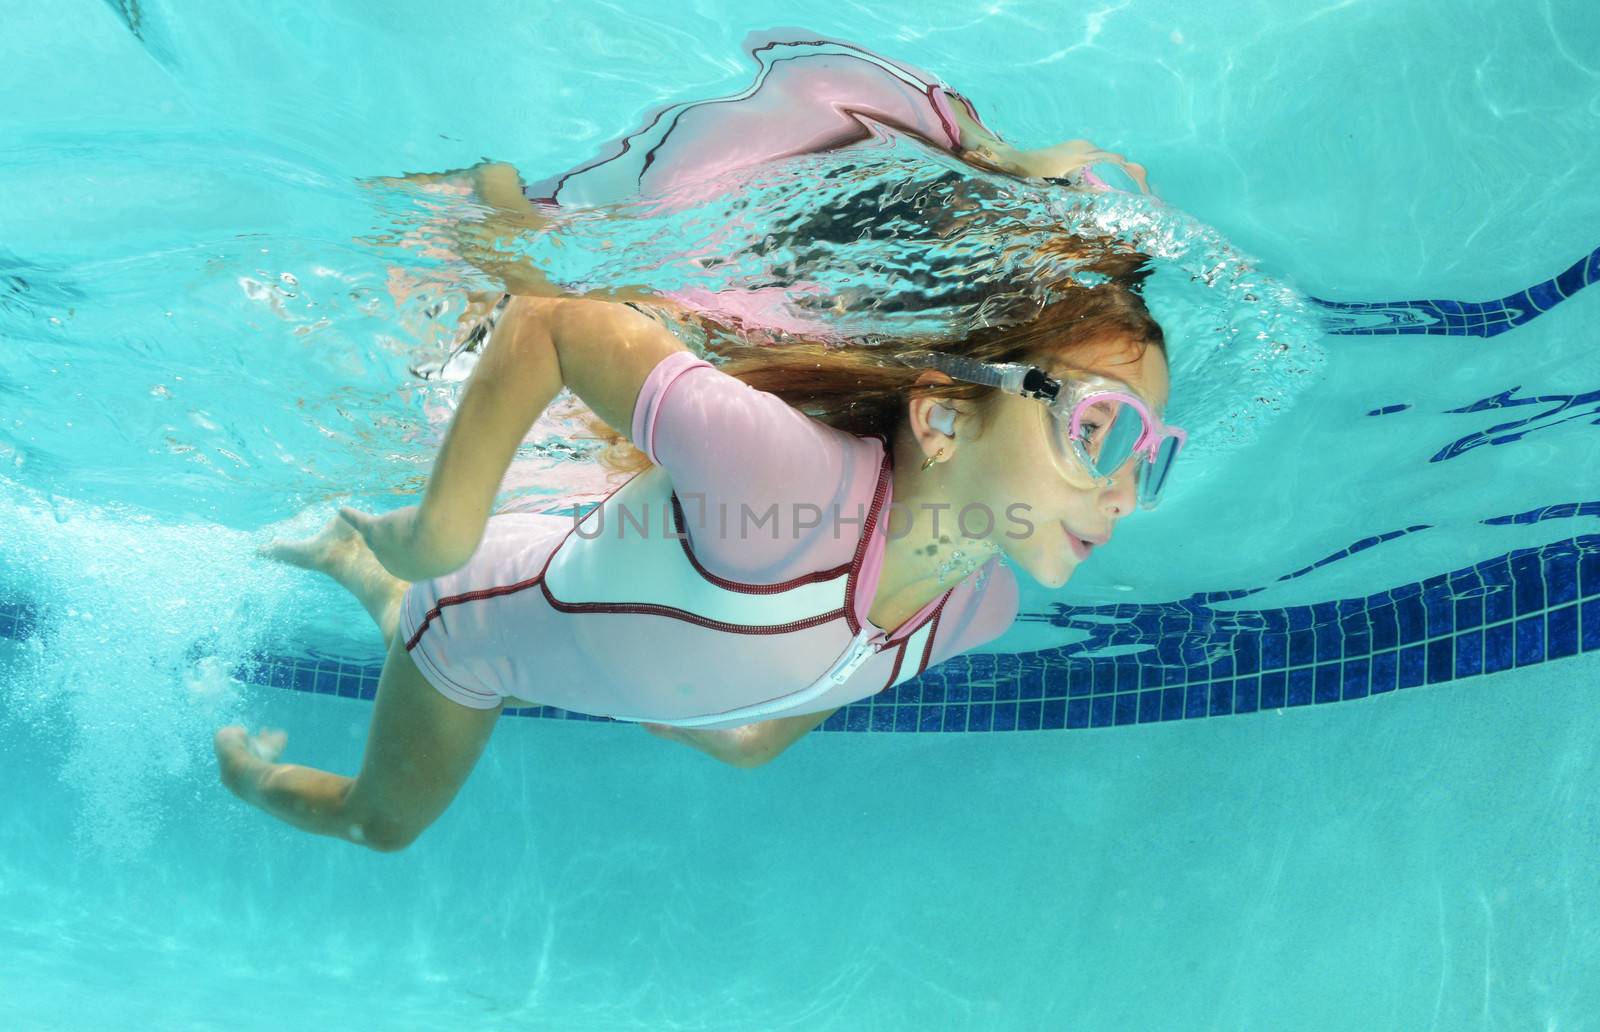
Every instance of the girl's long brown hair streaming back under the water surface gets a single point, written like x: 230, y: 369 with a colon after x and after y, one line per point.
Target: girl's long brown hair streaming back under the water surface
x: 865, y: 390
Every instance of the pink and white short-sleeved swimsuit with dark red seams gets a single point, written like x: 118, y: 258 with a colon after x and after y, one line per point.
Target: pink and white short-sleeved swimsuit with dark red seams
x: 674, y: 601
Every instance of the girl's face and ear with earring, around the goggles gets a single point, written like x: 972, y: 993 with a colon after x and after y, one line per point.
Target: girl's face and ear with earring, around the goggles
x: 1044, y: 516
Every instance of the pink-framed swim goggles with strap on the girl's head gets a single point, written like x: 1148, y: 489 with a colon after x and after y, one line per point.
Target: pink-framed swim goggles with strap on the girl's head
x: 1097, y: 425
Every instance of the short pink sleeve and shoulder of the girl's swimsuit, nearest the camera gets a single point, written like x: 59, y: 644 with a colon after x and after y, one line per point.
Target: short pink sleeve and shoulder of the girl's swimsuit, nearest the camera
x: 758, y: 479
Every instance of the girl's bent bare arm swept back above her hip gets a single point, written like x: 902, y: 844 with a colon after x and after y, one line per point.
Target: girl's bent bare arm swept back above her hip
x: 602, y: 351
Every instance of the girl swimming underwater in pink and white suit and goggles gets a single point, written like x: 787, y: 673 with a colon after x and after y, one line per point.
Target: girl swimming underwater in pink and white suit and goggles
x: 815, y: 526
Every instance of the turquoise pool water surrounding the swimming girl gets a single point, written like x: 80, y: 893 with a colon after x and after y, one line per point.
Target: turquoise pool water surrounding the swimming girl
x: 1354, y: 647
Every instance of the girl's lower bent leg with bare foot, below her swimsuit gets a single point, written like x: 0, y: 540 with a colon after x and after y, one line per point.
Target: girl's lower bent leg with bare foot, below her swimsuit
x: 420, y: 751
